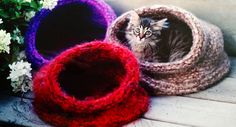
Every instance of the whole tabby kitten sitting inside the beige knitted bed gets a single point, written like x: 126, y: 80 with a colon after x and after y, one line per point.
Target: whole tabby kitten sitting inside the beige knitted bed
x: 144, y: 35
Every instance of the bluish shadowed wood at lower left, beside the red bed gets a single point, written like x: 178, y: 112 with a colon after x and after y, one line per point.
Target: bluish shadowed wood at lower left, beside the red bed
x: 19, y: 112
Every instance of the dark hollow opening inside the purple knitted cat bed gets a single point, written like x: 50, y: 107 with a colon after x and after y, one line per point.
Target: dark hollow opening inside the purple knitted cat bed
x: 67, y: 25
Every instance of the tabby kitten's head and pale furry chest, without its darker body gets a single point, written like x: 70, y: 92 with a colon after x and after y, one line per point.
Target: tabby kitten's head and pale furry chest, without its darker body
x: 143, y: 34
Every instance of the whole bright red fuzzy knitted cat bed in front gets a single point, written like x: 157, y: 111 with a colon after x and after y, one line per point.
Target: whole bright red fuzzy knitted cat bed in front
x: 93, y: 84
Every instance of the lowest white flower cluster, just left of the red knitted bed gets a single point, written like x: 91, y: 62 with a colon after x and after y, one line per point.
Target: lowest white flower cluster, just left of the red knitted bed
x: 20, y: 76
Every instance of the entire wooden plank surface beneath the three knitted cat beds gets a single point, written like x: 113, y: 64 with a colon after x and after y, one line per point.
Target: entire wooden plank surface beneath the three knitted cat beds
x: 214, y: 107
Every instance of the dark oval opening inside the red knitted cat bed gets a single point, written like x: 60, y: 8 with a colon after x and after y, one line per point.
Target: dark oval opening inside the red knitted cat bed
x: 91, y: 76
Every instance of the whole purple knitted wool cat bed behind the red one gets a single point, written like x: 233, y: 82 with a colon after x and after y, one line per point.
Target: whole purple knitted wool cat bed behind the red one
x: 69, y: 23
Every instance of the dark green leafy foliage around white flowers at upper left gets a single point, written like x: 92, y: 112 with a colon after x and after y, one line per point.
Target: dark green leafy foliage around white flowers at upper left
x: 14, y: 19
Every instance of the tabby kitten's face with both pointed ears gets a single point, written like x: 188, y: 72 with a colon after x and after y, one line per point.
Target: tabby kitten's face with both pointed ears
x: 144, y: 30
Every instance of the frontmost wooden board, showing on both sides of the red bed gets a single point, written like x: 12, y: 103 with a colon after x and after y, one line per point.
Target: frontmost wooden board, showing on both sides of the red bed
x: 18, y: 111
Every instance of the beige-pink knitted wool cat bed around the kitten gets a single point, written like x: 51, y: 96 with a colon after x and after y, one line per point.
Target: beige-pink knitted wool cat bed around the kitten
x: 204, y: 64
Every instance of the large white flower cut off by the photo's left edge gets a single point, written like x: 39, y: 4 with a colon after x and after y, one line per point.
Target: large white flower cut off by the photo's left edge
x: 5, y: 41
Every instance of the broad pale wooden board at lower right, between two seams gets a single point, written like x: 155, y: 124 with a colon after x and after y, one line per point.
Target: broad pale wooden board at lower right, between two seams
x: 193, y: 112
